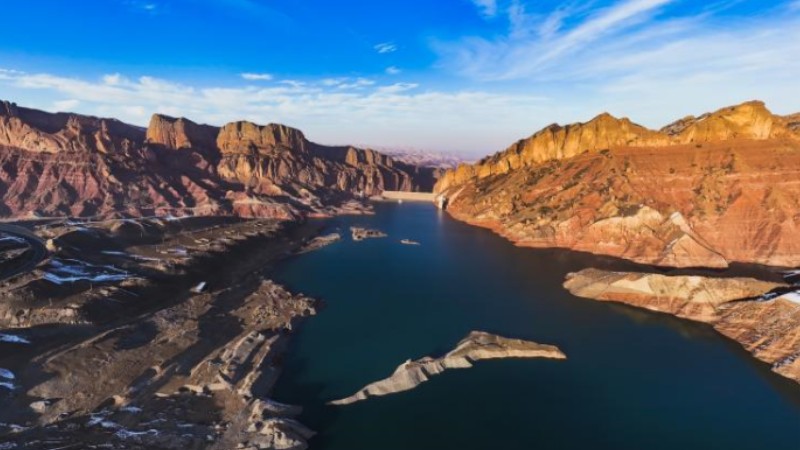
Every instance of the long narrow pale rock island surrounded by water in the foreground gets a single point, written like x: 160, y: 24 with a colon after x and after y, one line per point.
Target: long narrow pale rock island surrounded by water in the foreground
x: 476, y: 346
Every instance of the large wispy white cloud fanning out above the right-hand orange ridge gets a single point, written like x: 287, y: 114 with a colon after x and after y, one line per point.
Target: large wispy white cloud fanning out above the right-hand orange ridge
x: 652, y: 60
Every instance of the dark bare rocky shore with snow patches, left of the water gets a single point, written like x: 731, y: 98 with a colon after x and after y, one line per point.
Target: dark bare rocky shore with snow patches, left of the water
x: 151, y: 334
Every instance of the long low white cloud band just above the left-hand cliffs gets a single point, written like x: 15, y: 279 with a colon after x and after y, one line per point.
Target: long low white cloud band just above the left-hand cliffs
x: 330, y: 110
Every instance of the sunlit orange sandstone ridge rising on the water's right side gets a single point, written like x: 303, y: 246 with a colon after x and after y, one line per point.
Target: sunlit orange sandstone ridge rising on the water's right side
x: 702, y: 191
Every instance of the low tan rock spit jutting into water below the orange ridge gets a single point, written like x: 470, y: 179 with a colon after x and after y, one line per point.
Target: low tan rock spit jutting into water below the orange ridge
x: 768, y: 326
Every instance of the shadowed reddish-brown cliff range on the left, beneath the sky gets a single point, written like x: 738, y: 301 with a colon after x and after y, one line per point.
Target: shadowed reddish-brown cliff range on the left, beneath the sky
x: 67, y: 164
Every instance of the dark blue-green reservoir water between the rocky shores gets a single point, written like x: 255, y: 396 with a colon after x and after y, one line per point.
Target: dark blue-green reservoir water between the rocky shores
x: 633, y: 380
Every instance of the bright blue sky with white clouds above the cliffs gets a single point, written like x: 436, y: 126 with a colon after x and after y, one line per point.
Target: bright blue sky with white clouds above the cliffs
x: 468, y: 76
